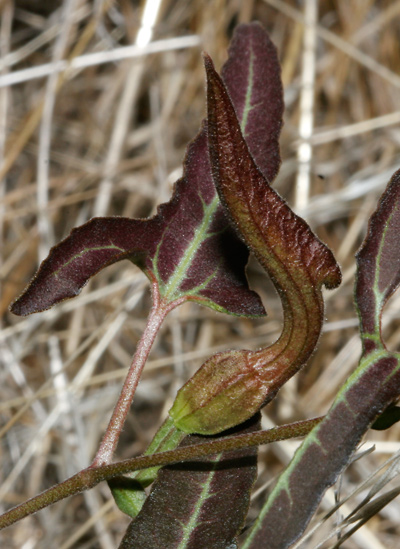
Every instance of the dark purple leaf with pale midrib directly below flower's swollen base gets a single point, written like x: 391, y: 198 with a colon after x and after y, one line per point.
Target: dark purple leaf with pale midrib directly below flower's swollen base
x: 196, y: 504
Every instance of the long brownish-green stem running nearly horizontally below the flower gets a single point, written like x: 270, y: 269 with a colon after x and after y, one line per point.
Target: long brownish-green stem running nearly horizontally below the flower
x: 90, y: 477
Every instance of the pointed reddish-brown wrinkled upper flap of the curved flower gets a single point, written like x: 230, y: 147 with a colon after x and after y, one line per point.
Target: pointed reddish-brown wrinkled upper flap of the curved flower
x: 265, y: 221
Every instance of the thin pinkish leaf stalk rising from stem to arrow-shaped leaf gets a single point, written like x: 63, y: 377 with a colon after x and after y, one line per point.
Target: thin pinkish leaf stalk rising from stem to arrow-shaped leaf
x: 110, y: 439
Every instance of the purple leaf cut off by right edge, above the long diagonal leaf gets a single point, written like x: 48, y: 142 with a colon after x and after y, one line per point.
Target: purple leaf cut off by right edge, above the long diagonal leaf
x: 378, y: 261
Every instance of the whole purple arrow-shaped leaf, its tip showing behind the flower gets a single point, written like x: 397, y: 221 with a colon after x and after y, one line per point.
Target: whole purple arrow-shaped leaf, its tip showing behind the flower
x: 188, y: 250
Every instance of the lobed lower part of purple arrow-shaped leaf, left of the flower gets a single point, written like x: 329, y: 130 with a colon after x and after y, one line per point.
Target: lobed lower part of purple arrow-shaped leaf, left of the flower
x: 188, y: 250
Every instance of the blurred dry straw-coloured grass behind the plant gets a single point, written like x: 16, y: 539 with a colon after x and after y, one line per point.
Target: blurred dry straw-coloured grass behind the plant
x: 108, y: 139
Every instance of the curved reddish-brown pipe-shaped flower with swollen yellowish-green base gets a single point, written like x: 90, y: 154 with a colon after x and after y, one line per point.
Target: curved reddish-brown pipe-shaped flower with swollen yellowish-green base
x: 231, y: 386
